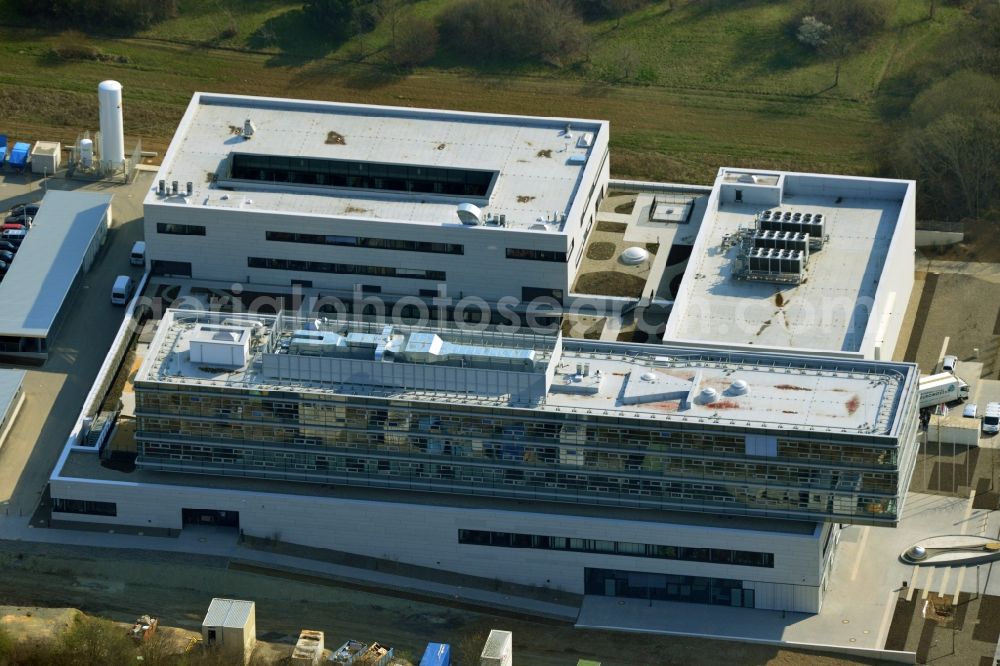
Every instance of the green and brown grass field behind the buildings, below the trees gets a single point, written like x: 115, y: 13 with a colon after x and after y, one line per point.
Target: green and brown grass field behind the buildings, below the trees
x: 730, y: 86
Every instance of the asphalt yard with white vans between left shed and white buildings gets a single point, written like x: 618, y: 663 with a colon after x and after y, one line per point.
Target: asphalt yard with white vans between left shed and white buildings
x: 55, y: 391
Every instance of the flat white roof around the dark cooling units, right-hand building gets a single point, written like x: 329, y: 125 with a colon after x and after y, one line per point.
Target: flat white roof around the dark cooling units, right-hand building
x: 830, y: 309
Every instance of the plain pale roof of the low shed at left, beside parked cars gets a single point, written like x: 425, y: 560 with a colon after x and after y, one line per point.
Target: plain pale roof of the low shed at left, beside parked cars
x: 47, y: 263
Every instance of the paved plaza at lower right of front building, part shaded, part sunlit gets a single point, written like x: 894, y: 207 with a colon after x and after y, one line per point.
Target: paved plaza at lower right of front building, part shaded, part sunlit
x: 857, y: 611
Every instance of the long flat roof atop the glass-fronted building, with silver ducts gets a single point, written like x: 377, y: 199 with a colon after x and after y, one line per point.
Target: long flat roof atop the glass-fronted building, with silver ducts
x: 734, y: 387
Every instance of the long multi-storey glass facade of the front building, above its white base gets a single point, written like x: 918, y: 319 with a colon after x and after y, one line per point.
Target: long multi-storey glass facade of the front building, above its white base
x: 518, y: 453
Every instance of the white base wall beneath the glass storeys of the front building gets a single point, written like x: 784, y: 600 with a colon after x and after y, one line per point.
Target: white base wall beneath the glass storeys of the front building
x: 427, y: 535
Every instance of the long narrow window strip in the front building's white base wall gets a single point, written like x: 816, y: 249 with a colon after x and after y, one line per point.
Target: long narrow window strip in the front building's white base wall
x: 747, y: 558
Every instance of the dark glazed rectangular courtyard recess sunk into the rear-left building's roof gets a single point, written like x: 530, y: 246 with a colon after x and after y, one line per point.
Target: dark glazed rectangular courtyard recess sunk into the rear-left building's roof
x: 361, y: 175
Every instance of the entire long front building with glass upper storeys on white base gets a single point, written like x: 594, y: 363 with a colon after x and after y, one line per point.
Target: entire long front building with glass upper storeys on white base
x: 630, y: 470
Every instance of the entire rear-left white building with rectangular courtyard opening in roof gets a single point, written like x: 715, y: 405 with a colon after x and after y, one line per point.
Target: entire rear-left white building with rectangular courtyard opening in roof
x: 390, y: 200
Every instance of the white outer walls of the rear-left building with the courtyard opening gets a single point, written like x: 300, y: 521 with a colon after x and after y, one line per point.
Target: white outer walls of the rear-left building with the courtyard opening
x: 483, y: 270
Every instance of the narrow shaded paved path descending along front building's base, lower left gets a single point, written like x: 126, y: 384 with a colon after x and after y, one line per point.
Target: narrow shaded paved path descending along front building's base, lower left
x: 222, y: 542
